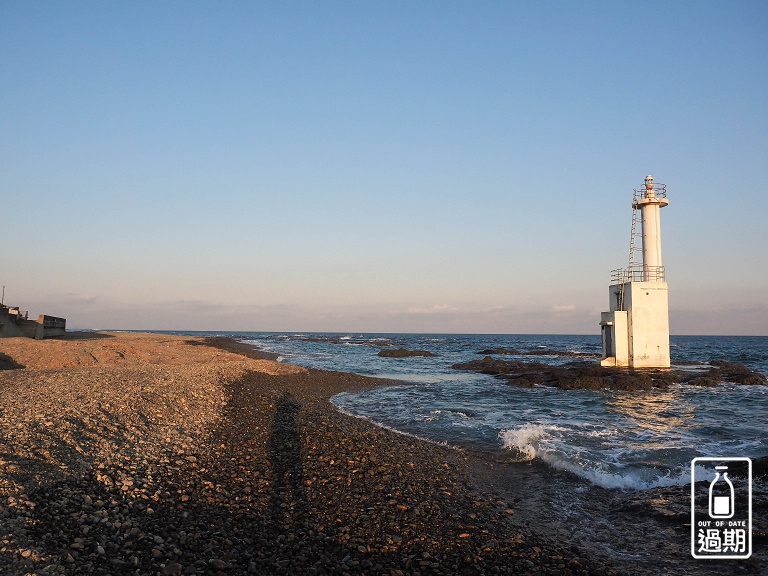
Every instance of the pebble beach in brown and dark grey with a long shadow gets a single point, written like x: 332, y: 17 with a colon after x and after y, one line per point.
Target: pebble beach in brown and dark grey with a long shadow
x: 239, y: 464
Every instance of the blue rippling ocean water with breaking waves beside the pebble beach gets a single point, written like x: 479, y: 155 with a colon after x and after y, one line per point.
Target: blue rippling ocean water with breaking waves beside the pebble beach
x: 614, y: 439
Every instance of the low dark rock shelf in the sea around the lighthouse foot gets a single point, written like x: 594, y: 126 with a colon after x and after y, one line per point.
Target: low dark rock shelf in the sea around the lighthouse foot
x: 591, y: 376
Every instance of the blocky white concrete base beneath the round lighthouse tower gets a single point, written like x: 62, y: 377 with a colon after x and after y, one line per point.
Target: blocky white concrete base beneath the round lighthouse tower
x: 635, y: 331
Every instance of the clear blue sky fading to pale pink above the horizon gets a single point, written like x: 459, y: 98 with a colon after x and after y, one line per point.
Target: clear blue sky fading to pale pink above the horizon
x: 362, y: 166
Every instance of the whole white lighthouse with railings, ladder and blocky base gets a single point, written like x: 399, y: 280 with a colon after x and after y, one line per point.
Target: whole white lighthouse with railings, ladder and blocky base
x: 636, y: 330
